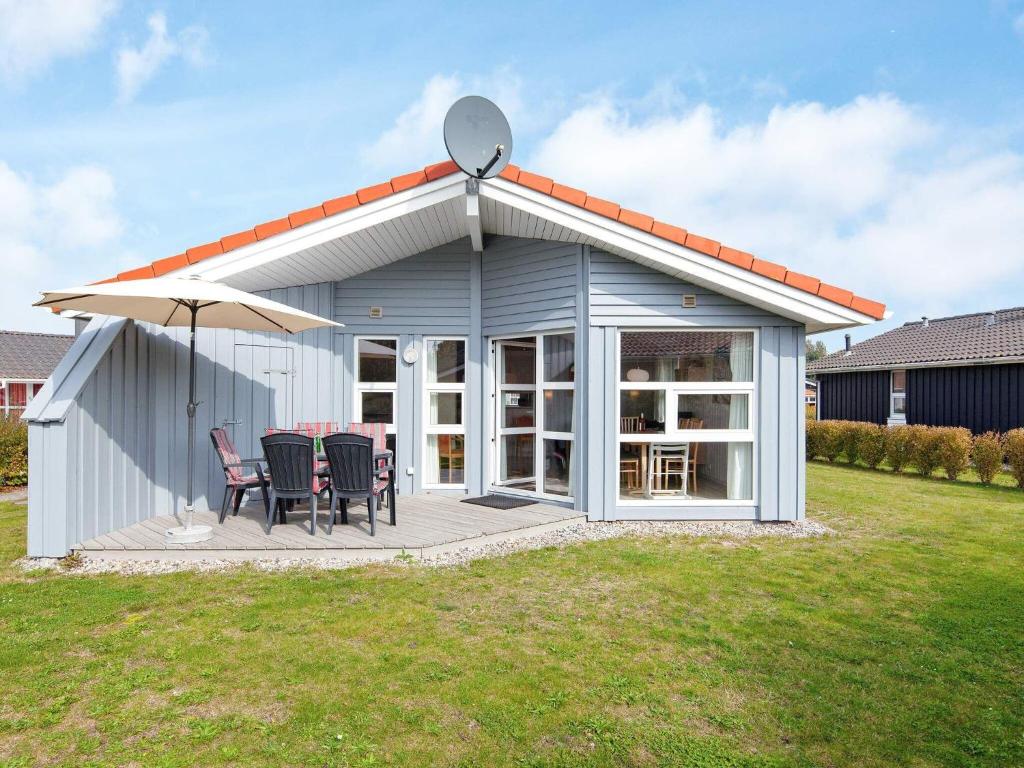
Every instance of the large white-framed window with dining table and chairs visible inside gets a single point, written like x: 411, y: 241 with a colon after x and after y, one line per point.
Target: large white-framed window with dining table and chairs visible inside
x: 687, y: 417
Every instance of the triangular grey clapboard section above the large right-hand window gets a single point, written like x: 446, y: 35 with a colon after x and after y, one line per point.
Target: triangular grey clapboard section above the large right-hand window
x: 625, y: 293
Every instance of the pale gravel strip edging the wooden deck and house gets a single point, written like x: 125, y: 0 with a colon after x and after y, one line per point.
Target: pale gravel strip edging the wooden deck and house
x: 578, y: 534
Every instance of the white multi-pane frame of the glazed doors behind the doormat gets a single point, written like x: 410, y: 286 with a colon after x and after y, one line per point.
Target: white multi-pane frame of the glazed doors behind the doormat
x: 539, y: 388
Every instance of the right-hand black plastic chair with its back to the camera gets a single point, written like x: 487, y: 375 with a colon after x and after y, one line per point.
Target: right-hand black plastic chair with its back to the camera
x: 355, y: 475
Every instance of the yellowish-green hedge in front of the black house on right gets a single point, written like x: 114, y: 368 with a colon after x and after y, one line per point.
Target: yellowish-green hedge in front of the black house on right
x: 925, y: 449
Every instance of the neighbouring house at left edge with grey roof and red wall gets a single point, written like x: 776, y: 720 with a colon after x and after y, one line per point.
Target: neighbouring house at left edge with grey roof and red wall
x: 27, y: 360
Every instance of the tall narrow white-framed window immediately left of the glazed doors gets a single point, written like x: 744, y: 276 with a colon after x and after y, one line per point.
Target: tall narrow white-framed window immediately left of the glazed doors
x: 445, y: 420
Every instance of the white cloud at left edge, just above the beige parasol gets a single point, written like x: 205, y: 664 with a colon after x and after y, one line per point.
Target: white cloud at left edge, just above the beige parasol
x: 46, y: 233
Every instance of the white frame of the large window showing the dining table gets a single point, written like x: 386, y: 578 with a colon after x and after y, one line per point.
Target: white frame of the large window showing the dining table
x: 672, y: 432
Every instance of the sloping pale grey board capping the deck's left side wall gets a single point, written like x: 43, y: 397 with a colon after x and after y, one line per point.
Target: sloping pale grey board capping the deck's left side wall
x: 74, y: 370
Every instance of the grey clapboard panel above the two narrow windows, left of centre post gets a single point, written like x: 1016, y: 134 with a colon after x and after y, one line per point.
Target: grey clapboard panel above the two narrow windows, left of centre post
x: 428, y: 293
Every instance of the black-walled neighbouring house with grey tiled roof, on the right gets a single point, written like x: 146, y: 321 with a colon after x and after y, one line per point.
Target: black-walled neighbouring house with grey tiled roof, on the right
x: 966, y: 371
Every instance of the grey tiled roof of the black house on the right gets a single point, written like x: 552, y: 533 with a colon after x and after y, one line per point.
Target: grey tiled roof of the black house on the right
x: 964, y: 338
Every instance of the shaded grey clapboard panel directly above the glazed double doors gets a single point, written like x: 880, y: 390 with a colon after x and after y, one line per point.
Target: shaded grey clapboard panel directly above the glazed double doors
x: 529, y: 285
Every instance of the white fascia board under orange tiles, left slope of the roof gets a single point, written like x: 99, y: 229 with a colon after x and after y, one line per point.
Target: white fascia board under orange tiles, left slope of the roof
x: 317, y: 233
